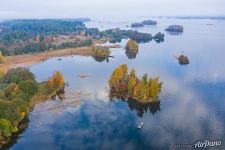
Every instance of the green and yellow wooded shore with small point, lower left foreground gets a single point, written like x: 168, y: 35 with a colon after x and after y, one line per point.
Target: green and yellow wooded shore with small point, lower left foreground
x: 19, y: 92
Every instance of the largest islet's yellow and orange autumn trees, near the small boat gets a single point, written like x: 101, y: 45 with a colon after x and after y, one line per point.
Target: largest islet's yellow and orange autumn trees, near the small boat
x: 127, y: 86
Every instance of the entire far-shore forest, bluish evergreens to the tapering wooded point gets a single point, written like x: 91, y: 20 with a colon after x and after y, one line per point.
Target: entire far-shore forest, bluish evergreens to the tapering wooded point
x: 39, y: 35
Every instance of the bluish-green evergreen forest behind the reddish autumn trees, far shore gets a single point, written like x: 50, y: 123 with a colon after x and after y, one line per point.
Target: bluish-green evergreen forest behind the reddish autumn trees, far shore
x: 26, y: 29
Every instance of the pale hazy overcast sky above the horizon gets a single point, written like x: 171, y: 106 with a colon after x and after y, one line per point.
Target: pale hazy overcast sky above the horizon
x: 11, y: 9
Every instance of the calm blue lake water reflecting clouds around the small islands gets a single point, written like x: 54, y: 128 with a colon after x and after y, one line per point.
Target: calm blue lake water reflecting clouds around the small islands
x: 192, y: 101
